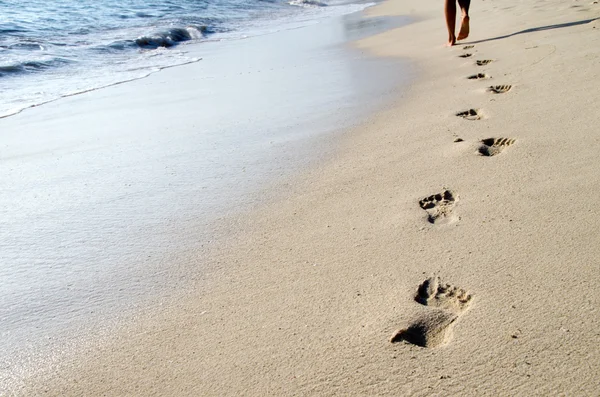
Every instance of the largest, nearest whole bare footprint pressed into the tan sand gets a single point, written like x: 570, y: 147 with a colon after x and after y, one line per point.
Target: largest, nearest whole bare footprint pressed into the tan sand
x: 434, y: 327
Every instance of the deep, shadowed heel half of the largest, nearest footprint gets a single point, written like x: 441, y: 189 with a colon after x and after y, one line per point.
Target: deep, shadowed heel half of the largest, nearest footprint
x: 432, y: 329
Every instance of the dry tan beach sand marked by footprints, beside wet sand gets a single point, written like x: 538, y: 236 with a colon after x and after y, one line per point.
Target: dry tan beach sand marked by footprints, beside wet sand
x: 447, y: 246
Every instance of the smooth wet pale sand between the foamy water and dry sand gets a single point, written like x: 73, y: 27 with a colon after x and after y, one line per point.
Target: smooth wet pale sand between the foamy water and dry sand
x: 145, y: 171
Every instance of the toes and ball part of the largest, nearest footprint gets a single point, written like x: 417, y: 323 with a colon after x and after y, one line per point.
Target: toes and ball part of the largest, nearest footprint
x: 432, y: 293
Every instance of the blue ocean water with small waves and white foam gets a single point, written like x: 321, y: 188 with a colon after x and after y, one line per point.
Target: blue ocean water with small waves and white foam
x: 52, y: 49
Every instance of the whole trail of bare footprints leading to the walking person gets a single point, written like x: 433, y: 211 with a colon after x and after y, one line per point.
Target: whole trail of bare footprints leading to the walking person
x: 446, y: 303
